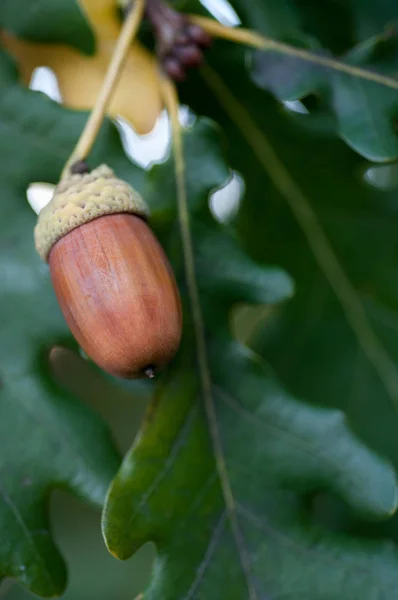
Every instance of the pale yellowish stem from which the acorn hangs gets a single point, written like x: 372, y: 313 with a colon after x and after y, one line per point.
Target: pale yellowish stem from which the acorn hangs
x: 94, y: 122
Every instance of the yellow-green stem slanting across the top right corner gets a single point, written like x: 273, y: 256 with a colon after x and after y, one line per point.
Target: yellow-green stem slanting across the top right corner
x: 240, y: 35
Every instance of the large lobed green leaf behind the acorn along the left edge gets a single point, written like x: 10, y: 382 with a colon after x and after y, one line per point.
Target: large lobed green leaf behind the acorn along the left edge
x: 47, y: 438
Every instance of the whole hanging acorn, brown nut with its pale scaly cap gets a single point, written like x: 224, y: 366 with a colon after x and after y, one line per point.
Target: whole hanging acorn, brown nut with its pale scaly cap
x: 111, y: 276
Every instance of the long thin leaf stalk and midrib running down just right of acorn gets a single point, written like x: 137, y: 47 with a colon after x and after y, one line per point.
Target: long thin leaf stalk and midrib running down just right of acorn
x: 171, y: 102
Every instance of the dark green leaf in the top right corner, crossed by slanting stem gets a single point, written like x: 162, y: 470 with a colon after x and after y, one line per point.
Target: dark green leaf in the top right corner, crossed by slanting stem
x: 365, y: 112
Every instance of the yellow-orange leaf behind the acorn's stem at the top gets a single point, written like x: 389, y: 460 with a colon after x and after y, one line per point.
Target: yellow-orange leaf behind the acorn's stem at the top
x: 137, y: 96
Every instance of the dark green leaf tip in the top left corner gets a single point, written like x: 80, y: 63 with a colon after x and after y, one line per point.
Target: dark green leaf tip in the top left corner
x: 60, y: 21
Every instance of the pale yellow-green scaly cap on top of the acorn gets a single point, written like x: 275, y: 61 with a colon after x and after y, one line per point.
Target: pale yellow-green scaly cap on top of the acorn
x: 79, y: 198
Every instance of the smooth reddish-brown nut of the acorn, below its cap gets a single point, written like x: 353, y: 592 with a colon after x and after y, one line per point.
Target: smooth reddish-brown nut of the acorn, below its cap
x: 117, y: 292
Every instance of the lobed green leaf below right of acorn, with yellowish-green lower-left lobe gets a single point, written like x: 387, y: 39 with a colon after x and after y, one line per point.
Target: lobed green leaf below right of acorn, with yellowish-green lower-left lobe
x: 229, y: 499
